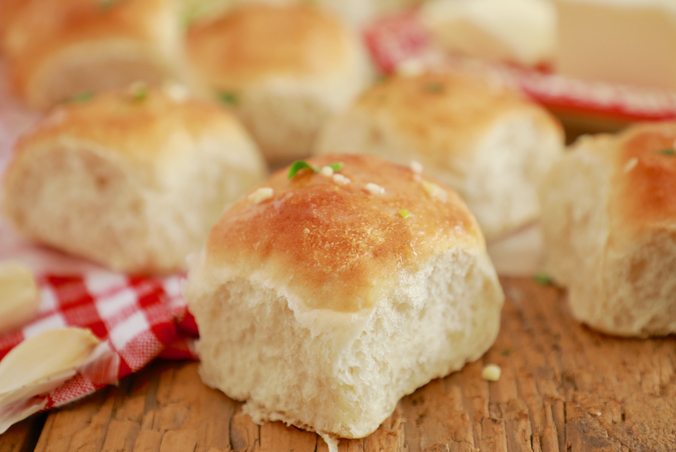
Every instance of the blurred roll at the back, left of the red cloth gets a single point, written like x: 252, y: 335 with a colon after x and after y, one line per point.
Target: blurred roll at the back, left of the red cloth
x: 283, y: 69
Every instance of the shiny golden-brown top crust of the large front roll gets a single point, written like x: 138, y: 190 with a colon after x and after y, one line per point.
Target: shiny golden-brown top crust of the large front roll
x: 343, y: 242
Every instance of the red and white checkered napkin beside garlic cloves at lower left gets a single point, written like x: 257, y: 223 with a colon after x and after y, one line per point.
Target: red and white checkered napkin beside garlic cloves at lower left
x: 137, y: 319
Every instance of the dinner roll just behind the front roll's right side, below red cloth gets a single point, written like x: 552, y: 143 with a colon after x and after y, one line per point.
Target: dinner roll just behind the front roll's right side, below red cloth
x: 487, y: 142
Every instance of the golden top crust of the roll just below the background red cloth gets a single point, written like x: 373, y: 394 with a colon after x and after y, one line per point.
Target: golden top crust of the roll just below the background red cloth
x: 442, y: 103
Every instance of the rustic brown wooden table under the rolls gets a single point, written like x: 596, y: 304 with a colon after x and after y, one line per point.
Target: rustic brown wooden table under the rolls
x: 563, y: 388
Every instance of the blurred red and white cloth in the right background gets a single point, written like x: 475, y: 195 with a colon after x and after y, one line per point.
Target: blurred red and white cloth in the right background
x: 400, y: 39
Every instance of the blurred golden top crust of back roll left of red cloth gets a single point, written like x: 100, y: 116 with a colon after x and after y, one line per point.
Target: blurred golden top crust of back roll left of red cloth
x: 259, y: 41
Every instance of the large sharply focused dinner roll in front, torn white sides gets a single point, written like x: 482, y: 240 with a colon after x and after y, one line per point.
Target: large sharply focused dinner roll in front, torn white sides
x: 324, y: 298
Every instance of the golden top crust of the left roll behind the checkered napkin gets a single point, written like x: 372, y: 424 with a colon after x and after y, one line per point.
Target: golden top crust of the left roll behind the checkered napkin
x: 136, y: 133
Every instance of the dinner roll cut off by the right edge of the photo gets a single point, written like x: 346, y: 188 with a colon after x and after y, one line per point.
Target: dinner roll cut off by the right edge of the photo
x: 609, y: 217
